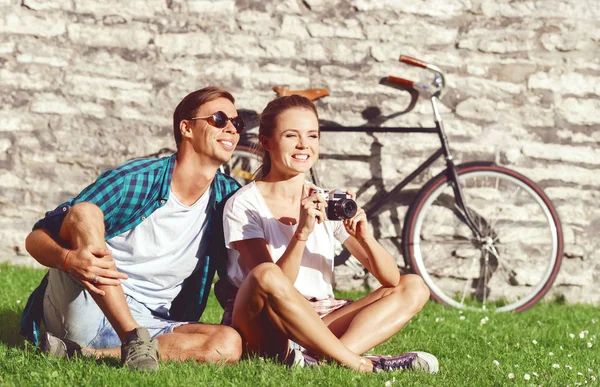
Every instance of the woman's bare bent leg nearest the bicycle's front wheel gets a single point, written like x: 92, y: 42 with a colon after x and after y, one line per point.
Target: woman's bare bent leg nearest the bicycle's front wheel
x: 378, y: 316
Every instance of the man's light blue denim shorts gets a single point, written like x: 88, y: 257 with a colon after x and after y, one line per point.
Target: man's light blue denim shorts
x: 70, y: 312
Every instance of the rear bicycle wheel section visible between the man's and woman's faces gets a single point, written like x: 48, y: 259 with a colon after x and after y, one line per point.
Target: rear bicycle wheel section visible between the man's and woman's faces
x: 245, y: 161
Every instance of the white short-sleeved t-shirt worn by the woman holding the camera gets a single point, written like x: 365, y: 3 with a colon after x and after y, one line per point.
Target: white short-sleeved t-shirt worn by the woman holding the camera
x: 246, y: 216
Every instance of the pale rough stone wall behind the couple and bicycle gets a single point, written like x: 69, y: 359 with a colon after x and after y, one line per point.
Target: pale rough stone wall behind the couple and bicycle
x: 88, y: 84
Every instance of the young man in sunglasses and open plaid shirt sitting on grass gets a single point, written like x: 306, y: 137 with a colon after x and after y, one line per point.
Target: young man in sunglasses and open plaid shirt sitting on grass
x: 132, y: 257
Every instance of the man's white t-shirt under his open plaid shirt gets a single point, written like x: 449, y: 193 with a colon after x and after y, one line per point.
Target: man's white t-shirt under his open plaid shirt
x: 161, y: 252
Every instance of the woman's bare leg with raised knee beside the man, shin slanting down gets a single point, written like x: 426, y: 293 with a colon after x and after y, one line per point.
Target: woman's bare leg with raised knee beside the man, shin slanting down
x: 268, y: 310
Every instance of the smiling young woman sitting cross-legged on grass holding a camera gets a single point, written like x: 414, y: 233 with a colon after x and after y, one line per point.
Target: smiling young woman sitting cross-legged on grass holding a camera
x: 281, y: 251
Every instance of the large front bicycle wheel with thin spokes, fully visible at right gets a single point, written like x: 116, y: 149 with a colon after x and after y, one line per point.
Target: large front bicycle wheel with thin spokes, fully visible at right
x: 510, y: 266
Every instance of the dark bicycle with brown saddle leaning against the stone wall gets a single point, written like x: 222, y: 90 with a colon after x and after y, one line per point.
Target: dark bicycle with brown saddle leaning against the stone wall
x: 479, y: 234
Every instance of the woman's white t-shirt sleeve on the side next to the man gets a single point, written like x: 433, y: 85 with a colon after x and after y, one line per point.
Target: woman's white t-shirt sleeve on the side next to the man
x: 241, y: 221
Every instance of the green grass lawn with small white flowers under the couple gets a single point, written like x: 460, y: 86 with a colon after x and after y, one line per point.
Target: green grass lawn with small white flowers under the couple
x: 465, y: 347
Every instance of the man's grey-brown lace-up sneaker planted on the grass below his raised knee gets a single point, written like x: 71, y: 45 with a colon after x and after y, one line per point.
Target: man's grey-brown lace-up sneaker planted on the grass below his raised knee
x: 140, y: 351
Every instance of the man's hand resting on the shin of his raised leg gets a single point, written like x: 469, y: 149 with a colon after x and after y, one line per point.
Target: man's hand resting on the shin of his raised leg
x: 93, y: 266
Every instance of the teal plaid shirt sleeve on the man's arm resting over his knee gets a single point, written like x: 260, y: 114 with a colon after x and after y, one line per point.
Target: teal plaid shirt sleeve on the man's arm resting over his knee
x: 105, y: 192
